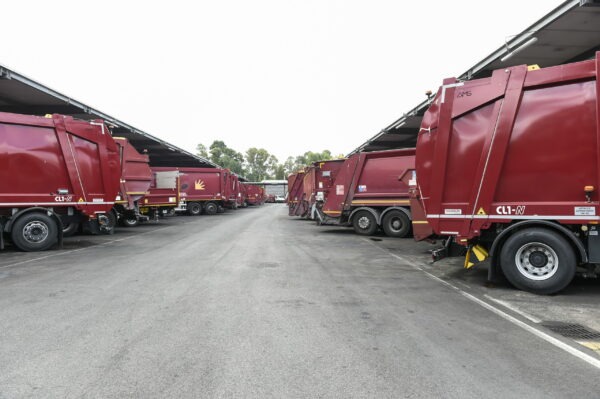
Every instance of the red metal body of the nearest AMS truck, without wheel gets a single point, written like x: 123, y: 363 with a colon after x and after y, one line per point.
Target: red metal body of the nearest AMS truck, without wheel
x: 520, y: 145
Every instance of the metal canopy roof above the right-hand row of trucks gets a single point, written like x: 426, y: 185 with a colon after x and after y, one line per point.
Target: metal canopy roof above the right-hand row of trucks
x: 569, y: 33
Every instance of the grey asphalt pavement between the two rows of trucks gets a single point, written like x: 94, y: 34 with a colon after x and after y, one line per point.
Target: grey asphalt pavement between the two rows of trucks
x: 255, y: 304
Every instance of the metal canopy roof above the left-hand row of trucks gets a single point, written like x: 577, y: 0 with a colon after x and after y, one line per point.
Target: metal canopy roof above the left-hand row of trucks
x: 19, y: 94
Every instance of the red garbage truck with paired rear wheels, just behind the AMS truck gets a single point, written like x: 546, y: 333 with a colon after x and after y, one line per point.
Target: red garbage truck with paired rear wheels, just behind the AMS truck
x: 370, y: 191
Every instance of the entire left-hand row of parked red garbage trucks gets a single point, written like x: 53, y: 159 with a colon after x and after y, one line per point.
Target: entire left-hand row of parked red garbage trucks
x: 59, y: 175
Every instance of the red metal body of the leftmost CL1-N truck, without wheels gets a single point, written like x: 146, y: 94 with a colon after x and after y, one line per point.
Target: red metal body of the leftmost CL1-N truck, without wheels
x: 57, y: 162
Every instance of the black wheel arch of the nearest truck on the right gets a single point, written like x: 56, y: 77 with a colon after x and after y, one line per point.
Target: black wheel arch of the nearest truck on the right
x: 494, y: 269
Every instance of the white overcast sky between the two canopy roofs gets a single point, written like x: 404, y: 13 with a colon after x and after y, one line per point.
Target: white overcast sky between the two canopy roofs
x: 287, y: 76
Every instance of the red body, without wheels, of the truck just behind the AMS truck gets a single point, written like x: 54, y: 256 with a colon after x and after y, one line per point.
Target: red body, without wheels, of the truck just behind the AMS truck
x: 371, y: 179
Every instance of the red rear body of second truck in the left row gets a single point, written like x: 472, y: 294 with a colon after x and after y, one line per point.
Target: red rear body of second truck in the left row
x: 136, y: 175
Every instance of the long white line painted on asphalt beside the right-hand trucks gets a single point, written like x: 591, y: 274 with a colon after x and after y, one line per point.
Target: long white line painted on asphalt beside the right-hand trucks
x: 591, y: 360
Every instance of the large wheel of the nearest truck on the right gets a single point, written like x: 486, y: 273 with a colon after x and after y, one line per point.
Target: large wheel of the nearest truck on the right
x: 538, y: 260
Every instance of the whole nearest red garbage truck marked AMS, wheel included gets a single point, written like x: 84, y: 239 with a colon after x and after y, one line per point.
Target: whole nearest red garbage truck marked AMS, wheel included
x: 508, y: 167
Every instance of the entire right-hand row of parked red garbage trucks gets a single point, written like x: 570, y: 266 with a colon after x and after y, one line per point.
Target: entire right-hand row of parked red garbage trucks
x: 505, y: 167
